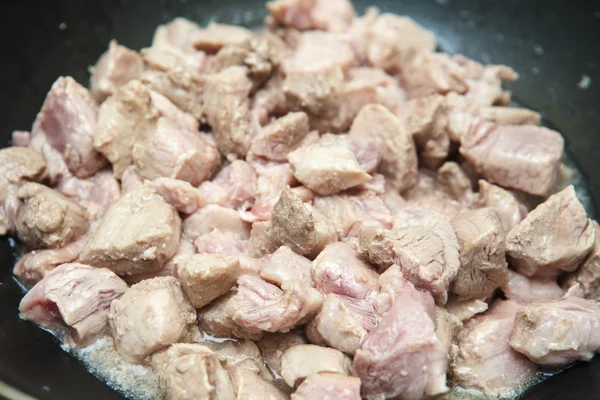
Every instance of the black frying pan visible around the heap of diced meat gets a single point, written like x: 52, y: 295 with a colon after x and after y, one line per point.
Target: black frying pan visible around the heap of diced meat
x: 553, y: 44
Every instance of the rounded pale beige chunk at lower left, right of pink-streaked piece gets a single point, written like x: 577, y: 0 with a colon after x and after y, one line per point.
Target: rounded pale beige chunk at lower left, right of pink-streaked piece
x: 151, y: 315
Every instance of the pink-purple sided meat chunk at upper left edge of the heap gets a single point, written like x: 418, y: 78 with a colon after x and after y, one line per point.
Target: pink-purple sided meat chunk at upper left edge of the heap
x: 68, y: 120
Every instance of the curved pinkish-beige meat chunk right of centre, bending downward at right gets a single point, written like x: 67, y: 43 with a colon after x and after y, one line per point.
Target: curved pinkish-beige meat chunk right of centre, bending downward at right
x: 399, y: 159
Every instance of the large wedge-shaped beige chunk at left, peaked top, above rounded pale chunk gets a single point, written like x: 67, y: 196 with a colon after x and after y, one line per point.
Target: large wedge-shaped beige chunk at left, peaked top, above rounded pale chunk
x: 139, y: 233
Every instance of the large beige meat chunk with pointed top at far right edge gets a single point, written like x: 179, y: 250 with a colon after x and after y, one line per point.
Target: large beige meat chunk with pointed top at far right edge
x: 555, y: 236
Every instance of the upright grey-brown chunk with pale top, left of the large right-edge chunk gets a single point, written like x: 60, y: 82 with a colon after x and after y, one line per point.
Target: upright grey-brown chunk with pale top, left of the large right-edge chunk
x: 482, y: 263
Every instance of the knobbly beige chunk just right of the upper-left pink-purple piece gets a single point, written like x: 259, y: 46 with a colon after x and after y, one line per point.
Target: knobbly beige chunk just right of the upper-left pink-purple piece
x: 123, y: 118
